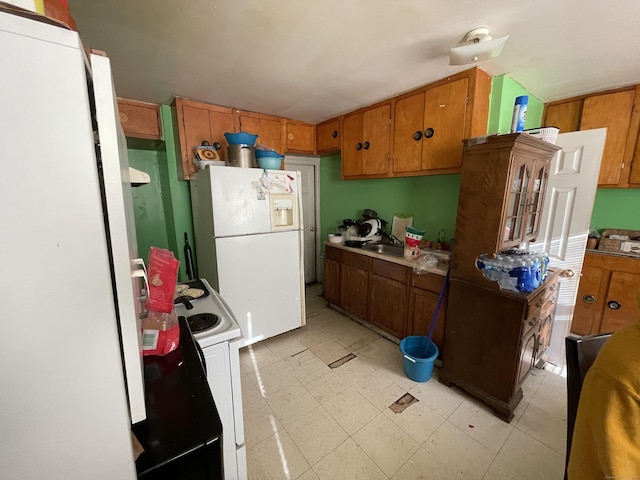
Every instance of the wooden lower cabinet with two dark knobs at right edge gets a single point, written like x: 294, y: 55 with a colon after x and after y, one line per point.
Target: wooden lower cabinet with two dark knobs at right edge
x: 608, y: 296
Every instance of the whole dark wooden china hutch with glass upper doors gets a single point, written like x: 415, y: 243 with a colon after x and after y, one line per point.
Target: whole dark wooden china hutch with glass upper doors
x: 494, y: 337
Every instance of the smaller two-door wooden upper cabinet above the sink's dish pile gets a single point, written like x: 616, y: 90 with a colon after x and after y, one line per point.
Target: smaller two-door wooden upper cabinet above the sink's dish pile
x: 365, y: 143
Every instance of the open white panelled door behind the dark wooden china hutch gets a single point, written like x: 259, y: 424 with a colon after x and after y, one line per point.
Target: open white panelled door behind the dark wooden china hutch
x: 568, y: 205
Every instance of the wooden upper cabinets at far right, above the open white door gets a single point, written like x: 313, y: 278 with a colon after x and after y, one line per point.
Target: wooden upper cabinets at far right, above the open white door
x: 619, y: 112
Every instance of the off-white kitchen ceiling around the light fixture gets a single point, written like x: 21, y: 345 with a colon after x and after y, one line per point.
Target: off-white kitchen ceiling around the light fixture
x: 314, y: 59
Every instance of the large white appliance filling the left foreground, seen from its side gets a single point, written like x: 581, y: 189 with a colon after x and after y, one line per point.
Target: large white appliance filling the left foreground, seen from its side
x: 72, y: 381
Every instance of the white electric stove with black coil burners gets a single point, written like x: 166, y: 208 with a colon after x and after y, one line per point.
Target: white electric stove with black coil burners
x: 220, y: 345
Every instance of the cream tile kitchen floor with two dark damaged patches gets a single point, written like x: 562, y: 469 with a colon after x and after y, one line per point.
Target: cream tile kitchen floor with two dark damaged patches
x: 305, y: 420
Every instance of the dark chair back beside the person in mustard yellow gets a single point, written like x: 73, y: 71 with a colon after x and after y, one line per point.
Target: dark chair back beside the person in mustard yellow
x: 581, y: 352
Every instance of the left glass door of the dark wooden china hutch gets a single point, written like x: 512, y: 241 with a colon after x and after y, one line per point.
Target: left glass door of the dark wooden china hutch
x: 517, y: 202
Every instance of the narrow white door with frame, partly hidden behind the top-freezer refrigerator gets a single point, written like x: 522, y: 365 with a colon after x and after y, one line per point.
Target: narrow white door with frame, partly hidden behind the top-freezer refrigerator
x: 308, y: 168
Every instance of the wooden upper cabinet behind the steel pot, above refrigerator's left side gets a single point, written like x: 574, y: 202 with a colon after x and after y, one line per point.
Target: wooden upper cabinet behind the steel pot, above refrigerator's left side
x: 198, y: 123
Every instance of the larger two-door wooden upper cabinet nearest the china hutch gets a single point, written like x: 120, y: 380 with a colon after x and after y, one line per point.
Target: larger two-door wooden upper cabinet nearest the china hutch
x: 430, y: 123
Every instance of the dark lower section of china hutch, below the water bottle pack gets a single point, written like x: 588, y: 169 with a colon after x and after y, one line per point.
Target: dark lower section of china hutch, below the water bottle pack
x: 494, y: 339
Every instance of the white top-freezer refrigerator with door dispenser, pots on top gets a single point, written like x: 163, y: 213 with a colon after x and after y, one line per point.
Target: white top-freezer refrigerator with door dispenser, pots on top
x: 249, y: 245
